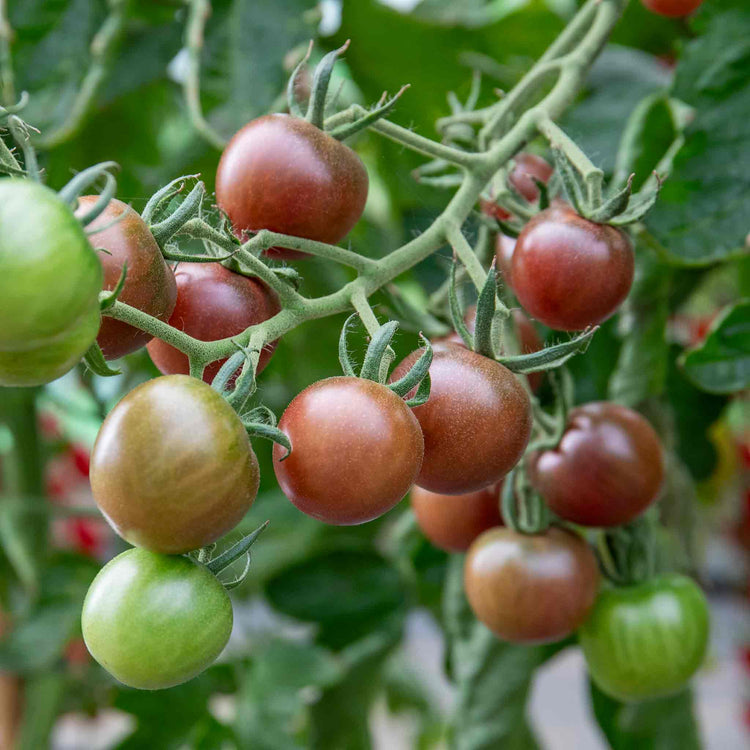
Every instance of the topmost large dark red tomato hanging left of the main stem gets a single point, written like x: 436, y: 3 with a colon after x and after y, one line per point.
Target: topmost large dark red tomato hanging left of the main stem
x: 284, y: 174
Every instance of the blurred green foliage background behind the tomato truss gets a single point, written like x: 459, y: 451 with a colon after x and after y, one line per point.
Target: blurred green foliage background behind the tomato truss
x: 320, y: 620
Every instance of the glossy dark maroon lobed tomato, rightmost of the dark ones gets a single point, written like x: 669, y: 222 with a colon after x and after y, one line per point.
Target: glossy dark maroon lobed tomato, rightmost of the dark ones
x: 607, y: 469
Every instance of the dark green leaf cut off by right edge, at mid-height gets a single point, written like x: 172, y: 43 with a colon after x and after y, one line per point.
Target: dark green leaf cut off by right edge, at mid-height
x: 722, y: 363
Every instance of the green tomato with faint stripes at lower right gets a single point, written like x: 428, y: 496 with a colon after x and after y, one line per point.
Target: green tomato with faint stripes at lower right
x: 647, y: 640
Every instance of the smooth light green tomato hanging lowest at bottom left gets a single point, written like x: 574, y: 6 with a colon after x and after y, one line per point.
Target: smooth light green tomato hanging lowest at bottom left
x: 154, y: 621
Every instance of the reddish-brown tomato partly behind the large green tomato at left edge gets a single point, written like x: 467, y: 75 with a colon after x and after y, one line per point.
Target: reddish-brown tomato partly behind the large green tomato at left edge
x: 149, y: 284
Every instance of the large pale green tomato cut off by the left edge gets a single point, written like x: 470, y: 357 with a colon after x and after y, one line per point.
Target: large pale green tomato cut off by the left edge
x: 50, y: 279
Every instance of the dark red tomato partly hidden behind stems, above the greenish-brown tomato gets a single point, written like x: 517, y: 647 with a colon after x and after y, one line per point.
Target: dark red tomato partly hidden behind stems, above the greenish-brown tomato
x: 214, y: 303
